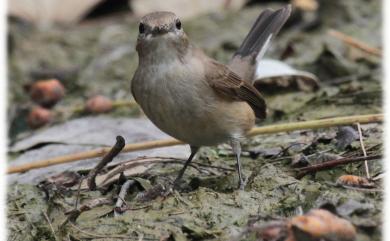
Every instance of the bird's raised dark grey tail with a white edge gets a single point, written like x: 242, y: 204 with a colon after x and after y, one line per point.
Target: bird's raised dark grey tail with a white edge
x: 257, y: 41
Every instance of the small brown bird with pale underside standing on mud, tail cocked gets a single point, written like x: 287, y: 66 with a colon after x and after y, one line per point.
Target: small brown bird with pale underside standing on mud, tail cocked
x: 194, y: 98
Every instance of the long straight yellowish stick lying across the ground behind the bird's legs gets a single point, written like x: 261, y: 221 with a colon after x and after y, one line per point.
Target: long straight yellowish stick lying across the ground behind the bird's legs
x: 304, y: 125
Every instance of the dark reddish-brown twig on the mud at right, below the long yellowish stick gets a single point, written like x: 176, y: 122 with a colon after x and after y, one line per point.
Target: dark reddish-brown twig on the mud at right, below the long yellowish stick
x: 330, y: 164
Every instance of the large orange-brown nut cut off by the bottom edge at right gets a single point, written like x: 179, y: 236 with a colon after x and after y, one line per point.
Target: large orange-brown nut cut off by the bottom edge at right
x: 320, y: 224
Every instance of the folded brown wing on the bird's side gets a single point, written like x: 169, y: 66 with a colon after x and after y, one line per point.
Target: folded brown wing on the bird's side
x: 231, y: 86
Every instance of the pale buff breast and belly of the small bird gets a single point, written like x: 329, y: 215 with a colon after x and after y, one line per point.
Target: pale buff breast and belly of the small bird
x: 177, y: 99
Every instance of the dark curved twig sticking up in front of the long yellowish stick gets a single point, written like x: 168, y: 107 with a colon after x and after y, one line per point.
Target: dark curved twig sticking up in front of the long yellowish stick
x: 120, y: 143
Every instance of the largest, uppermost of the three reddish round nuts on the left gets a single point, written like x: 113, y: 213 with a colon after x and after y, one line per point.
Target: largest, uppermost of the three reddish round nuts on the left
x: 47, y: 92
